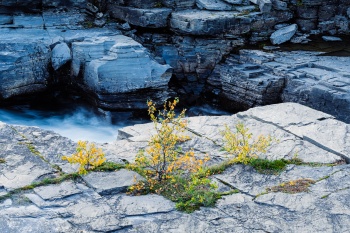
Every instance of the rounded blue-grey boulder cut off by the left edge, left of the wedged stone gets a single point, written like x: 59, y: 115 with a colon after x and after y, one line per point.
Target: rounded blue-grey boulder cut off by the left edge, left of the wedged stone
x: 23, y: 65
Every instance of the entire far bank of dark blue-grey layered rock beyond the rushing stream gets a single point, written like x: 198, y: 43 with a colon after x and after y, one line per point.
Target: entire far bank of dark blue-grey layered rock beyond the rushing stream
x: 120, y: 53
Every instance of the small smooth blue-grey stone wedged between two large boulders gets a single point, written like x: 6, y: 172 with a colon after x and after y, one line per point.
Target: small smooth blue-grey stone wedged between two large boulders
x: 61, y: 54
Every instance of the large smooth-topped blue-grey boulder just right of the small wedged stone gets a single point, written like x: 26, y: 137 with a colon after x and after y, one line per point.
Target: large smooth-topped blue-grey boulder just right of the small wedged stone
x: 117, y: 66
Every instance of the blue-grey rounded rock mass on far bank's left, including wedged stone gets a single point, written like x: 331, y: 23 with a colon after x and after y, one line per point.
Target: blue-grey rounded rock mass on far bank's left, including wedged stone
x: 54, y: 47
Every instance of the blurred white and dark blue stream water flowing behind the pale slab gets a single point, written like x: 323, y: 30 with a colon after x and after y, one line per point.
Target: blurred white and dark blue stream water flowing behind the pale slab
x: 82, y: 122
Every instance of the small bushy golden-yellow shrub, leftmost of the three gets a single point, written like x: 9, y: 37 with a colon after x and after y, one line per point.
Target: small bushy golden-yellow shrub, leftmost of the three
x: 87, y: 155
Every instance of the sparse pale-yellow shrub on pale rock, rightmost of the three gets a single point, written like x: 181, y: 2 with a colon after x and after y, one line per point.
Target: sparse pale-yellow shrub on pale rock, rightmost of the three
x: 241, y: 145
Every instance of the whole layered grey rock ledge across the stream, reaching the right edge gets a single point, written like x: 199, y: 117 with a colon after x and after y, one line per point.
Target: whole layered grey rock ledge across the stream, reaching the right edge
x: 259, y: 78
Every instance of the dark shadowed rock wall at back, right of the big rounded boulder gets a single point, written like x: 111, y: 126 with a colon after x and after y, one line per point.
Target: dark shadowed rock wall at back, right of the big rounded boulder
x: 194, y: 36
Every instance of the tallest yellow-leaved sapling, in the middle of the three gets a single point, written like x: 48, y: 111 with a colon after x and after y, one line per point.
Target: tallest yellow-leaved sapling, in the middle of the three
x: 163, y: 158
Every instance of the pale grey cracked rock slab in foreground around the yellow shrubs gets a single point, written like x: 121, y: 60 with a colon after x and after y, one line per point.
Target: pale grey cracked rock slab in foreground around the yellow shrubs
x: 97, y: 202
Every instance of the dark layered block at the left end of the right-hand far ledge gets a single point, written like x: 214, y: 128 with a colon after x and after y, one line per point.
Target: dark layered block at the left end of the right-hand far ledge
x: 247, y: 85
